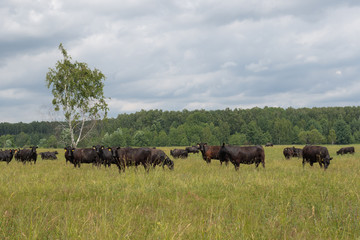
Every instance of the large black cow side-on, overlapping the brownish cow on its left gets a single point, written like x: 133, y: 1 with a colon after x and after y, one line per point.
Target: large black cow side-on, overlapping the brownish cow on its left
x: 244, y: 155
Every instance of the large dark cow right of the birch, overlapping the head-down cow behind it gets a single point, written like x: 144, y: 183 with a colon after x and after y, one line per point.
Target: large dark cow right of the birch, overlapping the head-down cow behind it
x: 132, y: 157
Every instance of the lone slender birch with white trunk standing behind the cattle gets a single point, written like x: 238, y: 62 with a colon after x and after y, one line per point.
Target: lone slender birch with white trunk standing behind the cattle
x: 78, y: 93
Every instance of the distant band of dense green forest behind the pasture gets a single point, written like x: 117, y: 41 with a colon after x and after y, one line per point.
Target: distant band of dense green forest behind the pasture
x: 327, y: 125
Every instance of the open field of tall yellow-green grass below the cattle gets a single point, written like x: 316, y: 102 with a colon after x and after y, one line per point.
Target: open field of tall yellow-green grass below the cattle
x: 52, y: 200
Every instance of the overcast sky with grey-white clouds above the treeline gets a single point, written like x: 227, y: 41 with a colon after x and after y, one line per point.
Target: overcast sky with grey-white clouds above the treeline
x: 183, y: 54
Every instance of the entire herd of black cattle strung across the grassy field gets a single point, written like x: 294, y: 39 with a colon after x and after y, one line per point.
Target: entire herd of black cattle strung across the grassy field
x: 151, y: 157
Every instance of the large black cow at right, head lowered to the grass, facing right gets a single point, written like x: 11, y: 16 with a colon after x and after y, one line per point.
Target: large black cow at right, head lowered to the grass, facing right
x: 312, y: 154
